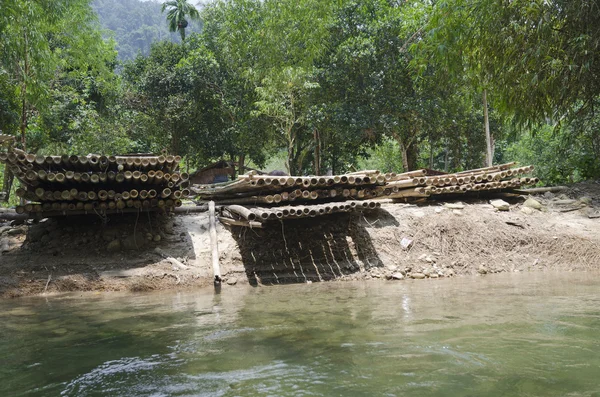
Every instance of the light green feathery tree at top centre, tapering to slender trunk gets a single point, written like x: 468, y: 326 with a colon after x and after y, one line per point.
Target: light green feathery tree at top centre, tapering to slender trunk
x: 273, y: 46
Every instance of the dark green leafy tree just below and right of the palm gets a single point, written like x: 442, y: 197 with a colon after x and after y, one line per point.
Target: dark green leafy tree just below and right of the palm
x: 227, y: 102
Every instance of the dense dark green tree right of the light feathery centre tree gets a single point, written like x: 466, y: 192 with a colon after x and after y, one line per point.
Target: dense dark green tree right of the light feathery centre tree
x: 367, y: 79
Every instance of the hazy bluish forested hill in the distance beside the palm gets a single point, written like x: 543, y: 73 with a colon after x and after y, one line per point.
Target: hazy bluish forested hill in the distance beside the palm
x: 136, y: 24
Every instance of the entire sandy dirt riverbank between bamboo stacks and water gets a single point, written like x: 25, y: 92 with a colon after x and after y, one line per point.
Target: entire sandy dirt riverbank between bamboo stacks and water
x: 397, y: 242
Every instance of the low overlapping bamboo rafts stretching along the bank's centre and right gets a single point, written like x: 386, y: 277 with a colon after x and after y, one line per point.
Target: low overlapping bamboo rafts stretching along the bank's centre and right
x: 252, y: 200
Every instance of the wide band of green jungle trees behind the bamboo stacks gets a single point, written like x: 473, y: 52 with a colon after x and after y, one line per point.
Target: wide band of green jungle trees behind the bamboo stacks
x: 310, y: 85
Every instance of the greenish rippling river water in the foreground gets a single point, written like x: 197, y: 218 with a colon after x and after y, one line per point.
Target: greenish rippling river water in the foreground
x: 506, y: 335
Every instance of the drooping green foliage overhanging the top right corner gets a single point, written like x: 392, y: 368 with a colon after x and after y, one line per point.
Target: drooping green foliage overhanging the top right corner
x: 541, y: 57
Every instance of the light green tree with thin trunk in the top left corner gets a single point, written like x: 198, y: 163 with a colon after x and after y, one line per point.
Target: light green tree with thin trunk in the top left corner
x: 39, y: 37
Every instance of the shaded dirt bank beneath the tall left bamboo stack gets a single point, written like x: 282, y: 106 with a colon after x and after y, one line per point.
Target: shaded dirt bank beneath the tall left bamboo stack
x: 78, y: 252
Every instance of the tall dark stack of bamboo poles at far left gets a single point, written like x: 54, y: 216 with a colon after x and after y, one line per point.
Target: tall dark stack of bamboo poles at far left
x: 61, y: 185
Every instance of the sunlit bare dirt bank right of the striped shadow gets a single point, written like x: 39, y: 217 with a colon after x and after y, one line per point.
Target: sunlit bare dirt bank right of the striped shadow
x: 479, y: 239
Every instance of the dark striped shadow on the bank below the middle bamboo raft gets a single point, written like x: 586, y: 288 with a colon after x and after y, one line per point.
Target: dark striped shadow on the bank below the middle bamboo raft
x: 301, y: 250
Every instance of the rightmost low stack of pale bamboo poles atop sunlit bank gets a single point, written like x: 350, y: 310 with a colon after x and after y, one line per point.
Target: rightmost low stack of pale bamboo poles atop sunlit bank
x: 419, y: 184
